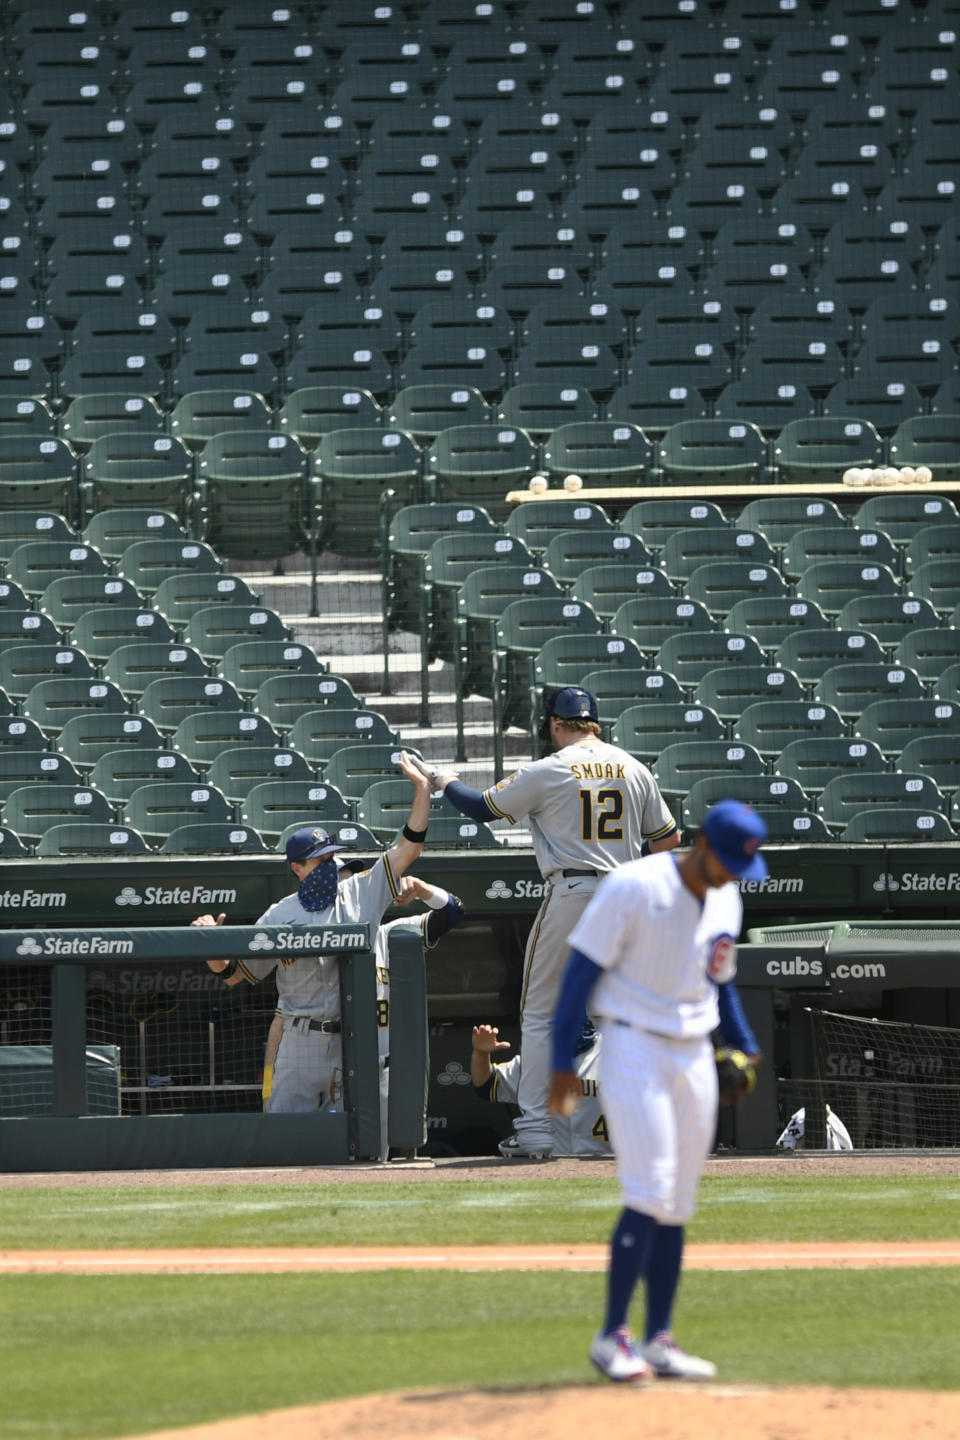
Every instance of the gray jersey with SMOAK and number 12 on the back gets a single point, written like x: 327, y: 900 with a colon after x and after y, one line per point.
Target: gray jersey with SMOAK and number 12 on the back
x: 589, y: 807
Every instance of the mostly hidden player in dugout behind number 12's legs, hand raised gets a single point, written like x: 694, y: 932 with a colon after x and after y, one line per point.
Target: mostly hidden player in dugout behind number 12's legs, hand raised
x: 585, y: 1133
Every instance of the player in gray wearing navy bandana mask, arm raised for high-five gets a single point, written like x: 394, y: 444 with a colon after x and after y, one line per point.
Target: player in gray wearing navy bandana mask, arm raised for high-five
x: 309, y: 1065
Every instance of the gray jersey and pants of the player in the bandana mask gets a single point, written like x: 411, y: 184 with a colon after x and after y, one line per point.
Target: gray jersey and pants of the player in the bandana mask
x: 307, y: 1074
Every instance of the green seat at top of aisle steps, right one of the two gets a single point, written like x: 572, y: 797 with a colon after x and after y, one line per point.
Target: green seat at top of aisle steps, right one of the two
x: 353, y: 467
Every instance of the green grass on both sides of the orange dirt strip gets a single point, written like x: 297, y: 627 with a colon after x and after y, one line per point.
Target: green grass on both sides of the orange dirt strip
x: 93, y: 1357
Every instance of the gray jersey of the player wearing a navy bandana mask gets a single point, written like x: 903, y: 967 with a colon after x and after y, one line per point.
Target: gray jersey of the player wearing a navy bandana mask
x: 310, y: 984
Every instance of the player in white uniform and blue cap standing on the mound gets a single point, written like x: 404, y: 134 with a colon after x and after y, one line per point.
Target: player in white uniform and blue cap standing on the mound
x: 656, y: 955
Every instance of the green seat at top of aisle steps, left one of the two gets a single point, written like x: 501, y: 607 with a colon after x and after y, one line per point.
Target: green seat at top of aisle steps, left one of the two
x: 254, y: 498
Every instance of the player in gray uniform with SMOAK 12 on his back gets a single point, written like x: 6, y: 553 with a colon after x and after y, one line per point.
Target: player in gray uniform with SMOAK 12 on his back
x: 591, y: 807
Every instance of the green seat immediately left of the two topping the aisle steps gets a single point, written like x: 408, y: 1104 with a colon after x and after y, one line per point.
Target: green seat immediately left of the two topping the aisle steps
x: 129, y: 469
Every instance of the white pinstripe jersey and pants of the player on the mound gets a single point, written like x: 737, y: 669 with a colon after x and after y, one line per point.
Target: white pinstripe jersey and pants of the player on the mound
x: 661, y: 951
